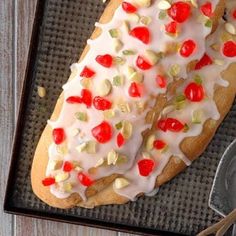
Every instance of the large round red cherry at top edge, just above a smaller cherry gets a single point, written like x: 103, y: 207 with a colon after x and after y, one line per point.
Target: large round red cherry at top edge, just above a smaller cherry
x: 179, y: 11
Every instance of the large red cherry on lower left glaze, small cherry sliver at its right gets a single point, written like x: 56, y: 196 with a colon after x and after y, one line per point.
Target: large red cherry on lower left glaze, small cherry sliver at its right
x: 103, y: 132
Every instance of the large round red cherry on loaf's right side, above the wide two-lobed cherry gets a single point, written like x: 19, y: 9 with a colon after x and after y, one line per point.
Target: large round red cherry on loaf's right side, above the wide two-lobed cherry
x: 194, y: 92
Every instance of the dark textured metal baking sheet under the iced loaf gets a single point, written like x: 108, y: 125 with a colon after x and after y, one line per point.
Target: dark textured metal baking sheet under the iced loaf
x: 60, y: 32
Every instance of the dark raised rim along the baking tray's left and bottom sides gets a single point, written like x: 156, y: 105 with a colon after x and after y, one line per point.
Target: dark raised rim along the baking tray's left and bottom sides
x: 10, y: 209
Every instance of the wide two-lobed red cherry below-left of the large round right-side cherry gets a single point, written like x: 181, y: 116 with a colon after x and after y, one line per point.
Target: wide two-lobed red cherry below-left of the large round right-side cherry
x: 170, y: 124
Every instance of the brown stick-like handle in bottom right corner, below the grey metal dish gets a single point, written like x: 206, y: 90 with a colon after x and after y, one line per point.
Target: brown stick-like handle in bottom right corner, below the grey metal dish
x: 221, y: 227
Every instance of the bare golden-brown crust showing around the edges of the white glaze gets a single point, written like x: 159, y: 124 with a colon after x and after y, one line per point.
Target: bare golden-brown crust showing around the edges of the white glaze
x: 101, y: 194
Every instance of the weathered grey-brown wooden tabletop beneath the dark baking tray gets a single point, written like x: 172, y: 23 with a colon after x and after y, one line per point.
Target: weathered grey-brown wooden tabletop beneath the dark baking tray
x: 16, y: 17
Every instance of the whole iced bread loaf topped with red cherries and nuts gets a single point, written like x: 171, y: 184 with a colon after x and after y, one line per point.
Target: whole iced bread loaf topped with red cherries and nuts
x: 138, y: 110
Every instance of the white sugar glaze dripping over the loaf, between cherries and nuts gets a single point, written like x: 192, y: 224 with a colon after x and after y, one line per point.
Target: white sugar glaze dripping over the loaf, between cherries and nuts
x: 193, y: 29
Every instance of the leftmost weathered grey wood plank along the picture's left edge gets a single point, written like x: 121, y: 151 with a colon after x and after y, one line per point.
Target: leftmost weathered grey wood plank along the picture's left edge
x: 6, y: 106
